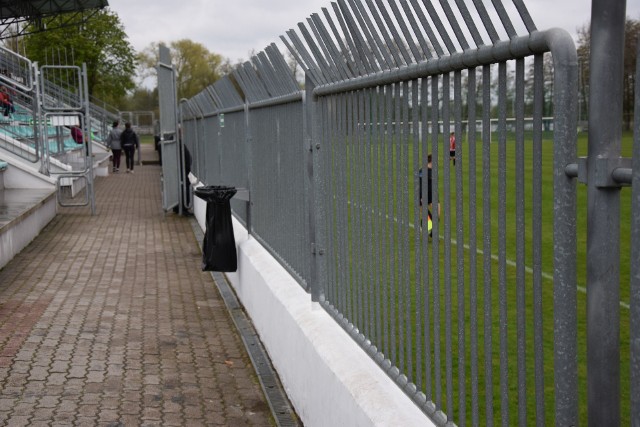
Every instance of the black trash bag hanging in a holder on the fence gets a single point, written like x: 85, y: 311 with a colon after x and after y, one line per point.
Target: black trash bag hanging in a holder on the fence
x: 219, y: 245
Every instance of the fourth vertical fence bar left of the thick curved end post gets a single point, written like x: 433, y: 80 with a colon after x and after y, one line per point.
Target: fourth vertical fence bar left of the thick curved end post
x: 486, y: 244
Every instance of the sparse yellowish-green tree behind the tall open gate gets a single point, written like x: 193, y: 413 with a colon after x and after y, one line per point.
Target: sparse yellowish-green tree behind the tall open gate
x: 196, y: 67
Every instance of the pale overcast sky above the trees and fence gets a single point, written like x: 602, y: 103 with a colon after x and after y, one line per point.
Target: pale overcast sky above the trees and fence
x: 235, y: 28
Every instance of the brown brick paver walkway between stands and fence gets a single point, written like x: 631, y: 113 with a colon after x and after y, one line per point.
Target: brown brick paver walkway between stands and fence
x: 107, y: 320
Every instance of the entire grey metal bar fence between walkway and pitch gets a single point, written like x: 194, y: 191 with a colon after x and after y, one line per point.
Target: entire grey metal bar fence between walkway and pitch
x: 459, y: 275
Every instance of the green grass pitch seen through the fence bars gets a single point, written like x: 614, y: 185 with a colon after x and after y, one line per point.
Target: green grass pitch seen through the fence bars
x: 408, y: 281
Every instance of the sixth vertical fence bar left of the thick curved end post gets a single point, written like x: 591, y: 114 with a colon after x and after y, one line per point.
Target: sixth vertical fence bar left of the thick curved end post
x: 460, y: 246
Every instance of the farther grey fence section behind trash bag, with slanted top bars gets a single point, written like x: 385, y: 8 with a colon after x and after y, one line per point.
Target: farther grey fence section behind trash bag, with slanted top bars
x: 256, y: 143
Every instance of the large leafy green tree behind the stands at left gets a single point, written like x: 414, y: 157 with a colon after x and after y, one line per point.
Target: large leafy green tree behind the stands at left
x: 100, y: 42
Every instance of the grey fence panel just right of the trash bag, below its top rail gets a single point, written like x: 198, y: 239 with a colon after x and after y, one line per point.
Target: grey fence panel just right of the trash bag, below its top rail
x: 279, y: 201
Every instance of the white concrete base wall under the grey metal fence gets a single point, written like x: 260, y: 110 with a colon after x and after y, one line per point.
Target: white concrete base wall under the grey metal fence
x: 329, y: 379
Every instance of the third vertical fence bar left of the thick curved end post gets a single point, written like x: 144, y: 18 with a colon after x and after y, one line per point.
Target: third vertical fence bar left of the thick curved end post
x: 502, y: 240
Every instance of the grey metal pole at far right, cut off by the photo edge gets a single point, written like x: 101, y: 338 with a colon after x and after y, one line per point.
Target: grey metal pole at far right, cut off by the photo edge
x: 634, y: 303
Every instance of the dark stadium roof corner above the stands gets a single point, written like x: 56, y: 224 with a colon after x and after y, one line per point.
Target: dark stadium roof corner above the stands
x: 22, y: 17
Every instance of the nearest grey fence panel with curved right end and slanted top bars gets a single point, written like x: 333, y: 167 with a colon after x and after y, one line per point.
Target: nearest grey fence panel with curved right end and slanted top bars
x: 375, y: 144
